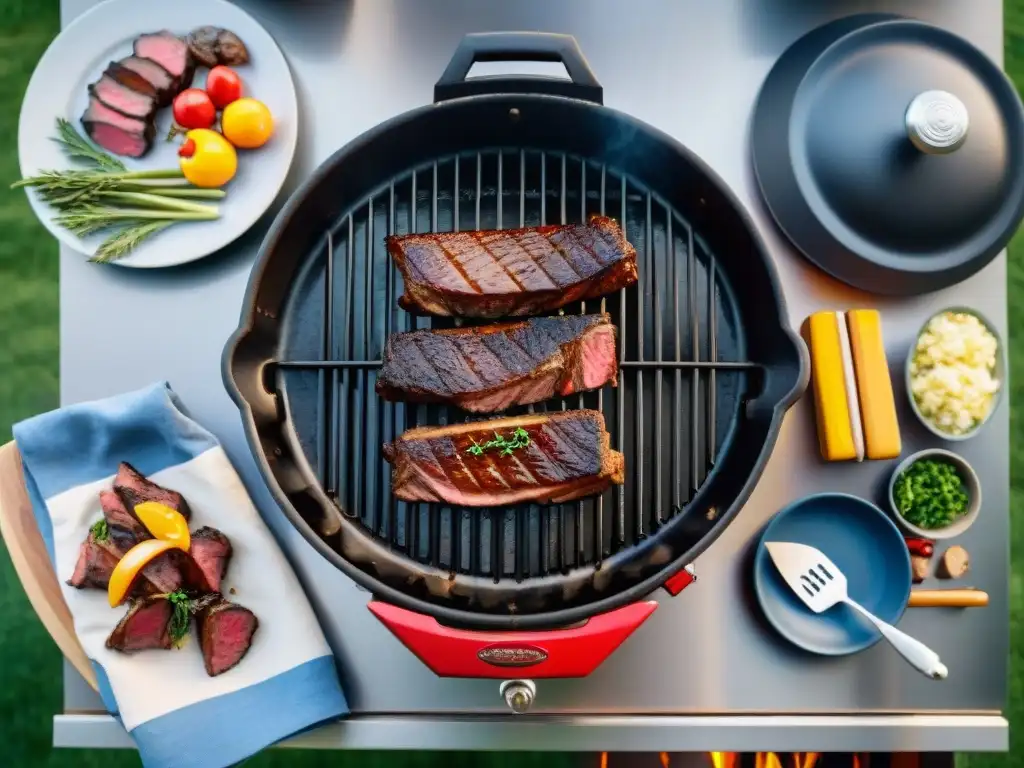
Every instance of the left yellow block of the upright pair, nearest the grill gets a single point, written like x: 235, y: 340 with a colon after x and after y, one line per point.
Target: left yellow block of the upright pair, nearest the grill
x: 838, y: 431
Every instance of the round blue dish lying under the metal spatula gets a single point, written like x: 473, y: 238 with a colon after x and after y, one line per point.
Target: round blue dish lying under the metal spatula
x: 865, y: 544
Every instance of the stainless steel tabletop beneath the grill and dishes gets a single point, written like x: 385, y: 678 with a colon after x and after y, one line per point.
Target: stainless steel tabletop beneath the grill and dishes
x: 704, y: 673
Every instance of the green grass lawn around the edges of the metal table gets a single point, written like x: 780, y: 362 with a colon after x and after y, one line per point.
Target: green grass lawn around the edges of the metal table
x: 30, y: 664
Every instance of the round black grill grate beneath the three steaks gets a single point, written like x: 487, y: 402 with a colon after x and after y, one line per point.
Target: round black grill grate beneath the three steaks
x: 682, y: 381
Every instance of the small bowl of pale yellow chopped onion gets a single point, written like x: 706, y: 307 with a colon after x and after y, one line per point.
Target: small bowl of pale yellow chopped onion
x: 955, y: 373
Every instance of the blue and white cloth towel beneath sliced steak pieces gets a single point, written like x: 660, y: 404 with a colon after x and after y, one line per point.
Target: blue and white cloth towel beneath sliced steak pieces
x: 176, y: 713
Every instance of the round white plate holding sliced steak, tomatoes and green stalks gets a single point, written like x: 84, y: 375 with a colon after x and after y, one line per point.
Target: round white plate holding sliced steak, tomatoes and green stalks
x: 79, y: 56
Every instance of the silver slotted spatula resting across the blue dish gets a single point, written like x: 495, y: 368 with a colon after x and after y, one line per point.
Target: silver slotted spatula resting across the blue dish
x: 818, y: 582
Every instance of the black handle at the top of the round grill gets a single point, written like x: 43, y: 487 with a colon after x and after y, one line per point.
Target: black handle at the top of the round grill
x: 519, y: 47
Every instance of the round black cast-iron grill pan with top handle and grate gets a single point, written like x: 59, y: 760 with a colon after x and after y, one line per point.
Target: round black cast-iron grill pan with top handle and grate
x: 708, y: 363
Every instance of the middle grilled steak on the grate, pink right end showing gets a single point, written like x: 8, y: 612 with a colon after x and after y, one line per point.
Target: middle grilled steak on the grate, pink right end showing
x: 485, y: 370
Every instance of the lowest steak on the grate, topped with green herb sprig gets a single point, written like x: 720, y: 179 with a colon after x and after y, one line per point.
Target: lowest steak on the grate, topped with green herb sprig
x: 567, y: 456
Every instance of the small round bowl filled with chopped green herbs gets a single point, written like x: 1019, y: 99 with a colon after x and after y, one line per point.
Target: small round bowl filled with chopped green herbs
x: 935, y: 494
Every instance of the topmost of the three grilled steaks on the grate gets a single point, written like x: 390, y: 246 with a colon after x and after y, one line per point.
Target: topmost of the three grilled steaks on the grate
x: 513, y: 273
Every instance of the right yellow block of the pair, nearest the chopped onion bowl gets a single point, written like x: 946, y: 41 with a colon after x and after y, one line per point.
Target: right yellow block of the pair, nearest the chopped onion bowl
x: 875, y: 388
